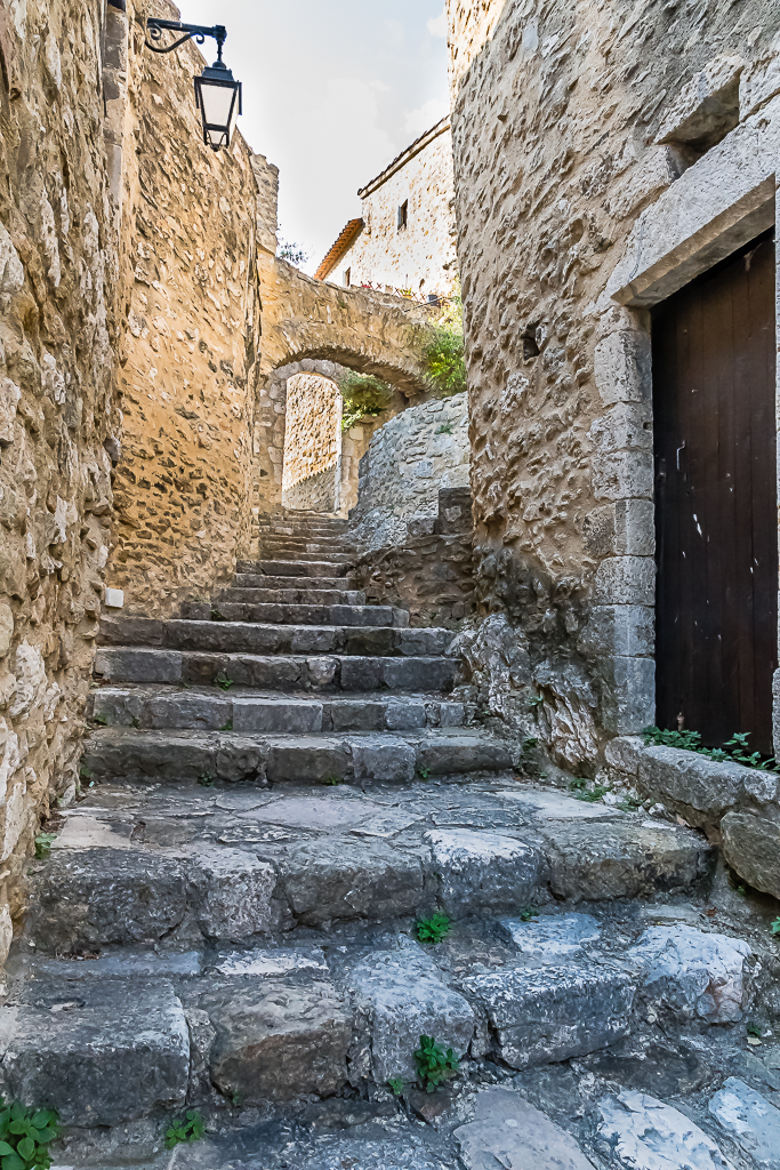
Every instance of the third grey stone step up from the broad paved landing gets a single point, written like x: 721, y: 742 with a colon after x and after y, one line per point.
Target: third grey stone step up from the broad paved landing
x: 277, y: 672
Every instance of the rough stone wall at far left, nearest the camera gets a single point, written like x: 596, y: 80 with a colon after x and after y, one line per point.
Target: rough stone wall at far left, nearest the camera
x: 58, y: 273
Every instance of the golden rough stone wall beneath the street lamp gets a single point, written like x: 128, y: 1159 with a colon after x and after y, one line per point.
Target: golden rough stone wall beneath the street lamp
x: 188, y: 382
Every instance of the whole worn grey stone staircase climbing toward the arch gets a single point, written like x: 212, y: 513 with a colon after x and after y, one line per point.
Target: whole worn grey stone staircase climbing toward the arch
x: 278, y: 787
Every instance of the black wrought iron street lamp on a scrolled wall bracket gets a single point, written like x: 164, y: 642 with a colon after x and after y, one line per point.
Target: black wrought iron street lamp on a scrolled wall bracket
x: 217, y: 92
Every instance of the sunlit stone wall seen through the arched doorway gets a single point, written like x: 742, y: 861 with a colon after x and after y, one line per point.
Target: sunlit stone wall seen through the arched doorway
x: 313, y: 444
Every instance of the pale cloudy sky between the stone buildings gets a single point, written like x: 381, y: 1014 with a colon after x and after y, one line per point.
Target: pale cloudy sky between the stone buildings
x: 333, y: 92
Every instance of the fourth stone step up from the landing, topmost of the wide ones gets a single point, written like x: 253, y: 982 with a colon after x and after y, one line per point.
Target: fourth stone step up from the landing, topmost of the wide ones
x: 271, y: 638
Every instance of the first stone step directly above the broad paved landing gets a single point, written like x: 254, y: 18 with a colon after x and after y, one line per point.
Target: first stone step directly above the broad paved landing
x: 299, y: 754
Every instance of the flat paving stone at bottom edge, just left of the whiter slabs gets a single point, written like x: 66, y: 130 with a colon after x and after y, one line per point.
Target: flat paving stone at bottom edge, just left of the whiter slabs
x: 510, y: 1133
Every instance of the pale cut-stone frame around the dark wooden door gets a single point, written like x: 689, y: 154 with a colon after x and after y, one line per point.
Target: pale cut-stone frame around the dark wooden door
x: 722, y: 203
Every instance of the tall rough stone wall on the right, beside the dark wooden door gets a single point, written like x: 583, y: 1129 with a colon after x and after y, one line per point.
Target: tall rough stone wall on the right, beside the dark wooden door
x: 570, y: 123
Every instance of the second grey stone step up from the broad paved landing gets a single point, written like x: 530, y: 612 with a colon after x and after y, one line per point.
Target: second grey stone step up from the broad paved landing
x: 161, y: 708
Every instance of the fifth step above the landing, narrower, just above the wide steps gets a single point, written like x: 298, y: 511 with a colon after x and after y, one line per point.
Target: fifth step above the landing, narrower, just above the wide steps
x: 292, y: 615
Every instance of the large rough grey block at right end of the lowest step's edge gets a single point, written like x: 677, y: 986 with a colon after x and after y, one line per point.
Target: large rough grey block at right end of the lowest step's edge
x: 544, y: 1015
